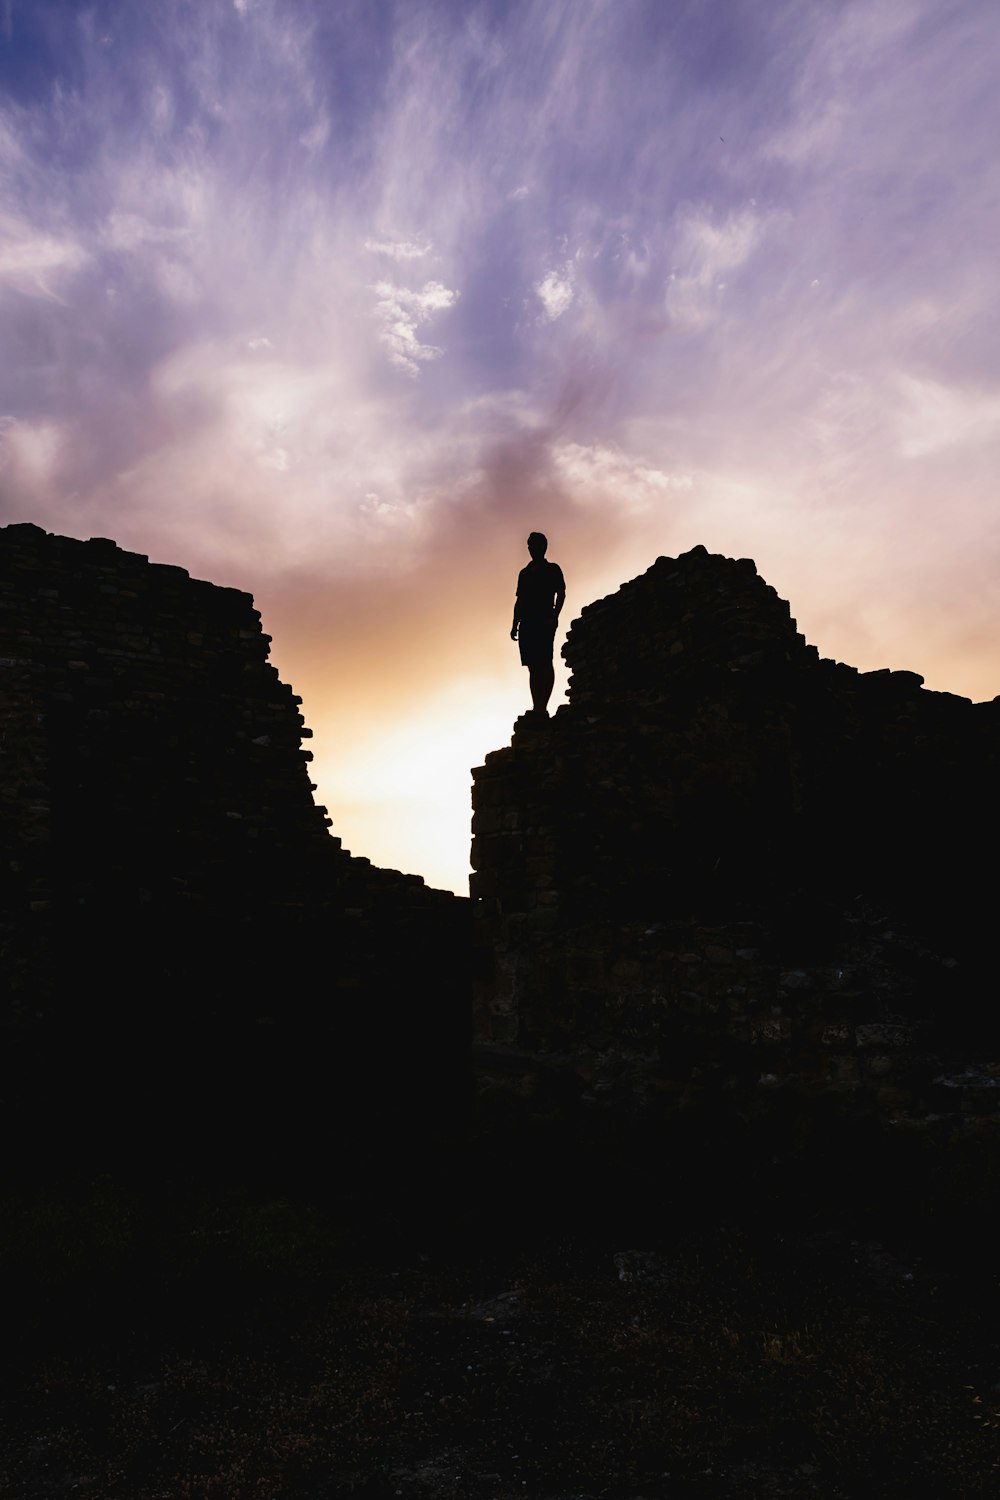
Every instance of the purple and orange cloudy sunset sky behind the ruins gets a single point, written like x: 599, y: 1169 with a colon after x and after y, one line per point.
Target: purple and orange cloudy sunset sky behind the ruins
x: 337, y: 301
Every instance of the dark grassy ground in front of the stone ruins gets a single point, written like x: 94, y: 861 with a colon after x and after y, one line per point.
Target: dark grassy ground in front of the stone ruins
x: 236, y: 1345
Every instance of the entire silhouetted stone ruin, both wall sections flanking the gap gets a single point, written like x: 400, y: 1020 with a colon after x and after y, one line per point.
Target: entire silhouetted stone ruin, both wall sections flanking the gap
x: 732, y: 916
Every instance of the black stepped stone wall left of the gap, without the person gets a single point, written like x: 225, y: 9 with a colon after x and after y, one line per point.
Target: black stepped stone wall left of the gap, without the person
x: 191, y: 965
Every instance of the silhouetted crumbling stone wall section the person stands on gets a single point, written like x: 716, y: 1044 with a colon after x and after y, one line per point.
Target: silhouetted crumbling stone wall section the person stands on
x: 729, y: 901
